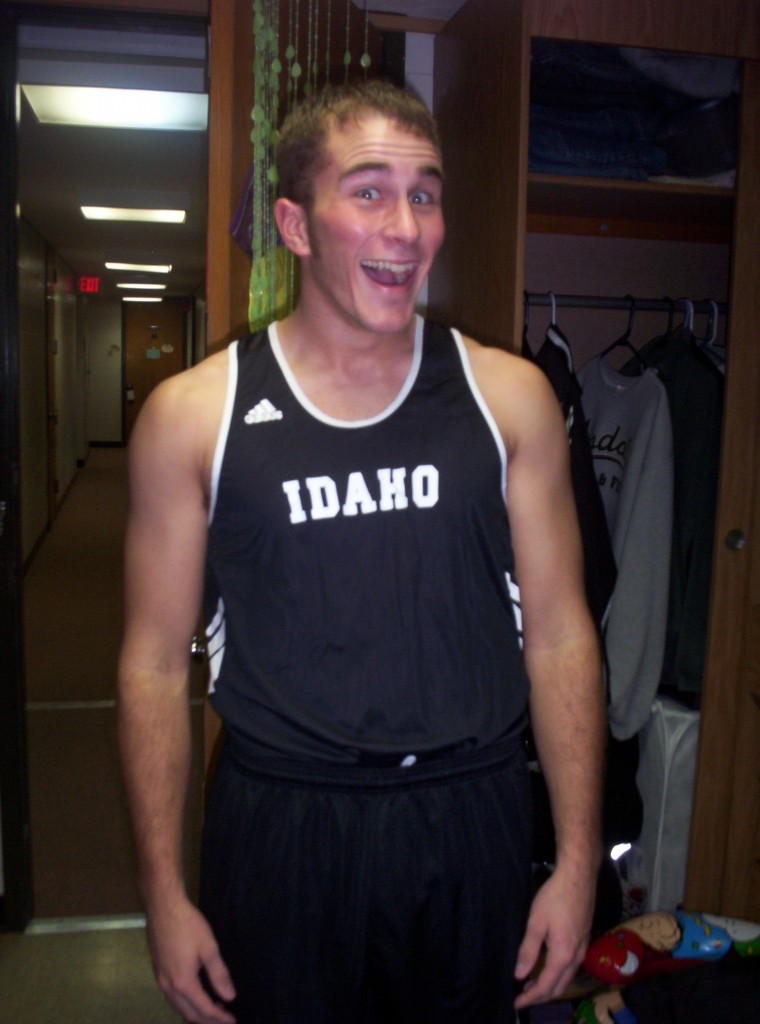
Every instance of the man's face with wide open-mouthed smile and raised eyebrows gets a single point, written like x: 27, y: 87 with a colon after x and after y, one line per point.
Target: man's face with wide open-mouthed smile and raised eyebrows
x: 375, y: 224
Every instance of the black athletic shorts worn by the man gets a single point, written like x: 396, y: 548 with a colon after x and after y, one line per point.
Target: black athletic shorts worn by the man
x: 370, y: 897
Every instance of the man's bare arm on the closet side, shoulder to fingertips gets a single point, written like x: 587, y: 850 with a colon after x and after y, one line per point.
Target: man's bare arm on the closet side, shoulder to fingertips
x: 562, y: 658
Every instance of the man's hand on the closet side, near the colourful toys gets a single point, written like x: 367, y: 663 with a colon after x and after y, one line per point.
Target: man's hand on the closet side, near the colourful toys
x: 561, y: 921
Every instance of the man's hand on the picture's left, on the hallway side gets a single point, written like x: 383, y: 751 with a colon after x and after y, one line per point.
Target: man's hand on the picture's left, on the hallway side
x: 183, y: 946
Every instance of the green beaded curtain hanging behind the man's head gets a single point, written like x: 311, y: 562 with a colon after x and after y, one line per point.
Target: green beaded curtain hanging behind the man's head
x: 285, y: 72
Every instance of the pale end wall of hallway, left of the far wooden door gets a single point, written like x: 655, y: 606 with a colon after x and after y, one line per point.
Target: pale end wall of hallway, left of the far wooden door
x: 103, y: 332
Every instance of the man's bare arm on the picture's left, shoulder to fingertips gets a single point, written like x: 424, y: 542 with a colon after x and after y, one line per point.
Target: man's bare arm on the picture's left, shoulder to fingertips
x: 165, y: 550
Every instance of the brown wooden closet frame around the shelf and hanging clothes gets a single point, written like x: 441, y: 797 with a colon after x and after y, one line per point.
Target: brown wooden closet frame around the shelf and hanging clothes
x: 483, y: 60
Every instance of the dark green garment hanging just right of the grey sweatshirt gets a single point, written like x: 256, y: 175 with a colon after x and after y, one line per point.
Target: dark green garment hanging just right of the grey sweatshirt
x: 695, y: 387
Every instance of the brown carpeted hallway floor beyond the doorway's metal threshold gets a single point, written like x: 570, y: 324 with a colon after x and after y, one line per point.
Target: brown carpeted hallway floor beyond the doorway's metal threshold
x: 83, y: 862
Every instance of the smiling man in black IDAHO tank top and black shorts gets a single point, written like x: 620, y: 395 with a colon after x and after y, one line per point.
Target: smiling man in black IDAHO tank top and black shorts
x: 336, y: 491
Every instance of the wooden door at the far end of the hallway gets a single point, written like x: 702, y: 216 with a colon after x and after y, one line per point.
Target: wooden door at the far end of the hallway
x: 154, y: 347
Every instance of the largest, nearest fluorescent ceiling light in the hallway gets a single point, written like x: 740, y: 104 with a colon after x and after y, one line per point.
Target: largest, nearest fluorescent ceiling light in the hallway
x: 87, y: 106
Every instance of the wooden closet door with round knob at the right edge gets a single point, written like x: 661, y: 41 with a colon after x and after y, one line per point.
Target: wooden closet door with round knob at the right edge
x: 725, y: 854
